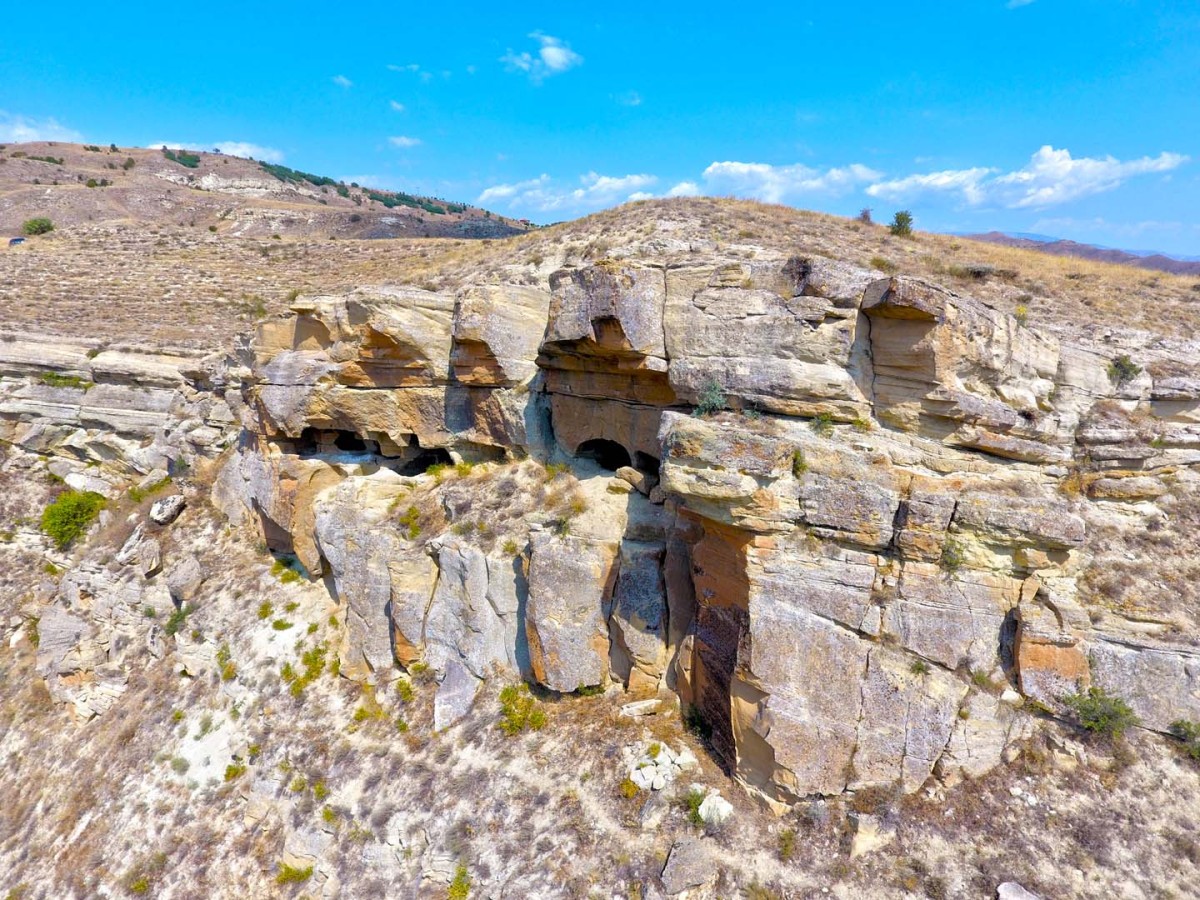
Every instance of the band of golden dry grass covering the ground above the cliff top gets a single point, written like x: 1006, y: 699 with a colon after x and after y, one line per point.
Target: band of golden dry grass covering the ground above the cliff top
x: 184, y: 286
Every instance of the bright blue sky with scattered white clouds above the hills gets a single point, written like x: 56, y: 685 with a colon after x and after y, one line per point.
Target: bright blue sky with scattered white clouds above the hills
x: 1075, y: 118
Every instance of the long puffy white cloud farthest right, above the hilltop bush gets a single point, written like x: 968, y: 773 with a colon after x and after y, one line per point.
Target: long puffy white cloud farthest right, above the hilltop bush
x: 1052, y: 178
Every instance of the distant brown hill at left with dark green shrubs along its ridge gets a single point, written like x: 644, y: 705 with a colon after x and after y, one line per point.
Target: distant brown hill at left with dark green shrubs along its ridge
x: 83, y: 184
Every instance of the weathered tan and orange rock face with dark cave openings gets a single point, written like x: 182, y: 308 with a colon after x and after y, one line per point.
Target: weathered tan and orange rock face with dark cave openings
x: 857, y: 574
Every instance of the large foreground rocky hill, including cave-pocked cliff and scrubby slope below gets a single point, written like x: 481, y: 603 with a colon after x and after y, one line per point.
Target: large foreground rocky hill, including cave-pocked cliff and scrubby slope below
x: 698, y: 549
